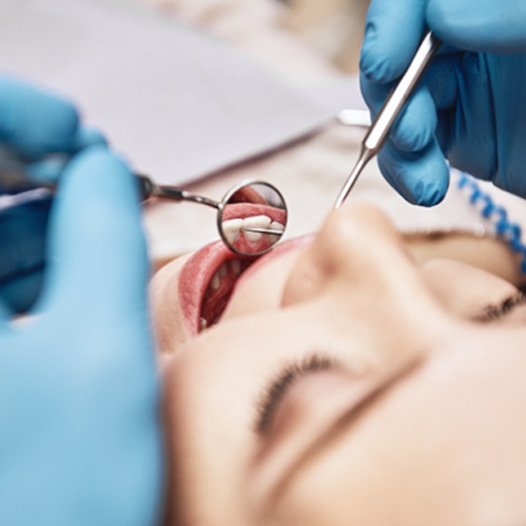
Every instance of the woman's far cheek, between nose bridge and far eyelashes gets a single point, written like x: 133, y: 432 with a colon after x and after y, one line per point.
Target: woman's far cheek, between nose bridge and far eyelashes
x: 464, y: 290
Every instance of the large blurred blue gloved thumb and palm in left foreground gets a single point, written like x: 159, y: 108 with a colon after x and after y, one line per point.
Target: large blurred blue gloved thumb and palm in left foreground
x: 80, y: 442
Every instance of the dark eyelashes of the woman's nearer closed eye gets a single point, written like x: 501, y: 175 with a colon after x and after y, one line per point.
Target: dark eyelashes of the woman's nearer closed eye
x: 282, y: 382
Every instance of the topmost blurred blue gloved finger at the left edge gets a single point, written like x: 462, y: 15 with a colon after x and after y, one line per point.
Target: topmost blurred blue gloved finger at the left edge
x: 34, y: 122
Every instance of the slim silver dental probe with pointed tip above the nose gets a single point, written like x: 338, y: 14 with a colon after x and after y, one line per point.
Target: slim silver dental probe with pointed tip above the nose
x: 382, y: 124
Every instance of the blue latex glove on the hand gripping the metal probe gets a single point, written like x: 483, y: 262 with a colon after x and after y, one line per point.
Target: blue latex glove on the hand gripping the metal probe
x: 470, y: 107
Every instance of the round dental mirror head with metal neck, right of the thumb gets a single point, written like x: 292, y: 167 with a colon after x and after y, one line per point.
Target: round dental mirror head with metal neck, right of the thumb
x: 251, y: 217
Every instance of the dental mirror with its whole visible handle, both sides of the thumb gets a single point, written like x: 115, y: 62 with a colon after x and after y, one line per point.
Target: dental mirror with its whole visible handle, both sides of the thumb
x: 251, y: 217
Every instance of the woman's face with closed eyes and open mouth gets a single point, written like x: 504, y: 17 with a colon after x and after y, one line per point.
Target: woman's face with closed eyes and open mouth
x: 343, y: 384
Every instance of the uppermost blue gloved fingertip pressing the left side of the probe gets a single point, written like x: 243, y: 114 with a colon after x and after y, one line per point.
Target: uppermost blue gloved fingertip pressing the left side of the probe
x: 393, y: 32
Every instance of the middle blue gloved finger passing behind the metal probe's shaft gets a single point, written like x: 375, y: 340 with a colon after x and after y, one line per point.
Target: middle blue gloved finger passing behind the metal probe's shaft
x: 415, y: 127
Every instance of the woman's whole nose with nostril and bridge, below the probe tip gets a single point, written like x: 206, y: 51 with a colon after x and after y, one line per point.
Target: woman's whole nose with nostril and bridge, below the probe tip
x: 361, y: 282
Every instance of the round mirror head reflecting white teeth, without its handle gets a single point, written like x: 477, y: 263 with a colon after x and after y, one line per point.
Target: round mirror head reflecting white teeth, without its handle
x: 252, y: 218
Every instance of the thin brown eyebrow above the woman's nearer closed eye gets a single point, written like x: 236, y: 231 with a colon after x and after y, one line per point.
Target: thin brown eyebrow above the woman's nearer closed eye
x: 346, y: 420
